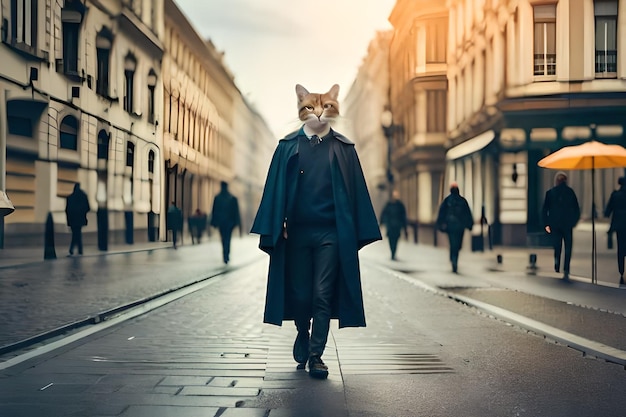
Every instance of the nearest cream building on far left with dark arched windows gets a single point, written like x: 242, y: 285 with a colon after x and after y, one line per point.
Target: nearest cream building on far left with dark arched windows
x: 80, y: 96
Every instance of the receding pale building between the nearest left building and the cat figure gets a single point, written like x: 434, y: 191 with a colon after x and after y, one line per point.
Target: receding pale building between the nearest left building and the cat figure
x: 210, y: 133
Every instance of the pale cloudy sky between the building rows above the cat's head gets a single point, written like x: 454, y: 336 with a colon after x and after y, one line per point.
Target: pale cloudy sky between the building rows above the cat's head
x: 272, y: 45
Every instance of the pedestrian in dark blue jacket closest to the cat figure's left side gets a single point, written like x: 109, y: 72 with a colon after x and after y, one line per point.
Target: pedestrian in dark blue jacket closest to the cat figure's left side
x: 225, y: 217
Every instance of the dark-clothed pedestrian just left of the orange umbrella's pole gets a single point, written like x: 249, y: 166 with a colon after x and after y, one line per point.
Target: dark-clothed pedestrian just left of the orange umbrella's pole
x: 561, y: 213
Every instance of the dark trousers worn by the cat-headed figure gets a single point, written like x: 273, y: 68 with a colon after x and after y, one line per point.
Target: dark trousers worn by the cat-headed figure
x: 312, y: 270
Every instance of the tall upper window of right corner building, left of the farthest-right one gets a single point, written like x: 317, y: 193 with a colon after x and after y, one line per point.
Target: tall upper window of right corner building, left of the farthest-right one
x: 545, y: 39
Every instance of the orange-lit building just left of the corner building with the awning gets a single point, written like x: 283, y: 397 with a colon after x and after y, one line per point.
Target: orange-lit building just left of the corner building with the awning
x: 418, y: 102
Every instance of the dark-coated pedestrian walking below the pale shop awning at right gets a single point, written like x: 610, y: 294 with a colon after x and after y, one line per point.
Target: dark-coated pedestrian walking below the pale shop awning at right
x: 453, y: 218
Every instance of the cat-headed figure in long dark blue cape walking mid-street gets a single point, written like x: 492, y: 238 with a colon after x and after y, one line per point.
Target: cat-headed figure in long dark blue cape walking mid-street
x: 314, y: 216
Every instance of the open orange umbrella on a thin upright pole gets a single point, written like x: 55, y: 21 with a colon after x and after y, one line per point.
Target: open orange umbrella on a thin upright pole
x: 589, y: 155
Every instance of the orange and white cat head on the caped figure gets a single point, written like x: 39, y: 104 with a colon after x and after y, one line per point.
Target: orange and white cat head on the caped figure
x: 316, y: 110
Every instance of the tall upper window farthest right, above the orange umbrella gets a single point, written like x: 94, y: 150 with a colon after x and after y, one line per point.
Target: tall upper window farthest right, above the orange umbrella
x: 605, y: 12
